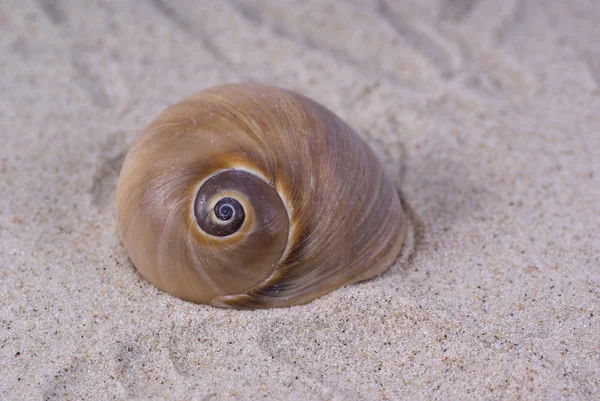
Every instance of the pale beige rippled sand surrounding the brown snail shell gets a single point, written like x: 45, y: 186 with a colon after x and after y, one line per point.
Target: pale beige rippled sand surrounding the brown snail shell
x: 488, y: 115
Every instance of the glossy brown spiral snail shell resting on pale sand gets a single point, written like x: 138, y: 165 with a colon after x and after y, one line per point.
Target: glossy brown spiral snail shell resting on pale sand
x: 251, y: 196
